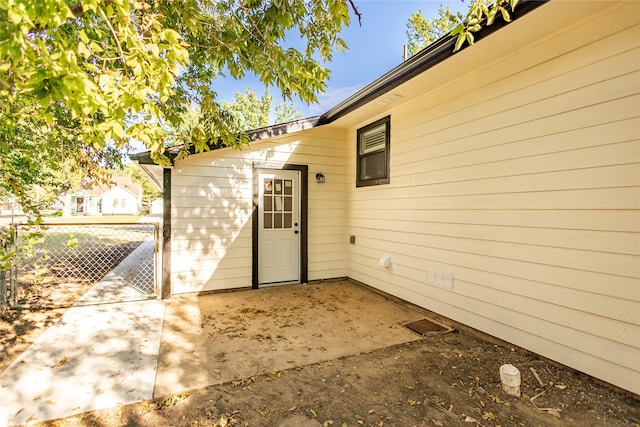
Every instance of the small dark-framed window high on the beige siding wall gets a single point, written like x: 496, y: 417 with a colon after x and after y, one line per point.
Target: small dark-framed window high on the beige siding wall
x: 373, y: 153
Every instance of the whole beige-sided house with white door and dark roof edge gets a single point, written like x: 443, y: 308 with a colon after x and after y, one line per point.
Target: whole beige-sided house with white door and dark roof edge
x: 502, y: 182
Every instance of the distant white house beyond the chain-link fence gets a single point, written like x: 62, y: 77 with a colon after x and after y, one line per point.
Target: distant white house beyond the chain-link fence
x: 120, y: 198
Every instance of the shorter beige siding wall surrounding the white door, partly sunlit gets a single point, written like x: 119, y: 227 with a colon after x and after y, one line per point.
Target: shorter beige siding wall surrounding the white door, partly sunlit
x: 212, y: 210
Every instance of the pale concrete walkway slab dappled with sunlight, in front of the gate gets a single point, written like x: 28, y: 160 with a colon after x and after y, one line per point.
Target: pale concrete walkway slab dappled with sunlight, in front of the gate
x: 94, y: 357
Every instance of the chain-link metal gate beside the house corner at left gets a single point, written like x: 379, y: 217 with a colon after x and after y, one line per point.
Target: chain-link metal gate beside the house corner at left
x: 75, y: 264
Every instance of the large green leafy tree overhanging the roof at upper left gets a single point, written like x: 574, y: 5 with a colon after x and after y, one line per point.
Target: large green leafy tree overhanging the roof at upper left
x: 96, y: 74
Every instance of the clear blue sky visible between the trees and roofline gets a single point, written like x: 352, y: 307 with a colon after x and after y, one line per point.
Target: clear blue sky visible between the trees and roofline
x: 374, y: 48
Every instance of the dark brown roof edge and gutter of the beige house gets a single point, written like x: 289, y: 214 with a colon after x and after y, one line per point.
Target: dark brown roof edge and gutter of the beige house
x: 430, y: 56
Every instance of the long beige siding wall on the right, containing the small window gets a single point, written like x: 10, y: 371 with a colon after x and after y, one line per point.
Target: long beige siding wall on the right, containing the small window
x: 522, y: 178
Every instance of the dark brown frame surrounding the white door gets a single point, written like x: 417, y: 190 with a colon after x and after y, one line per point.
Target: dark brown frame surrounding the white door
x: 304, y: 206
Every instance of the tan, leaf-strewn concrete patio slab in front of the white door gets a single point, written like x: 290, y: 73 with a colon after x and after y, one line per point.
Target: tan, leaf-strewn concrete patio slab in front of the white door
x: 229, y: 336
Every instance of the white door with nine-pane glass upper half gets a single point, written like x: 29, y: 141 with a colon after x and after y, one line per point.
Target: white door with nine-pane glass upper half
x: 279, y: 226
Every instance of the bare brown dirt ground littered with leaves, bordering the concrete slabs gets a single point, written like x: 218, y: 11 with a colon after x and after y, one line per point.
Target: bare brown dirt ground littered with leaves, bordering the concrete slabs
x: 440, y: 380
